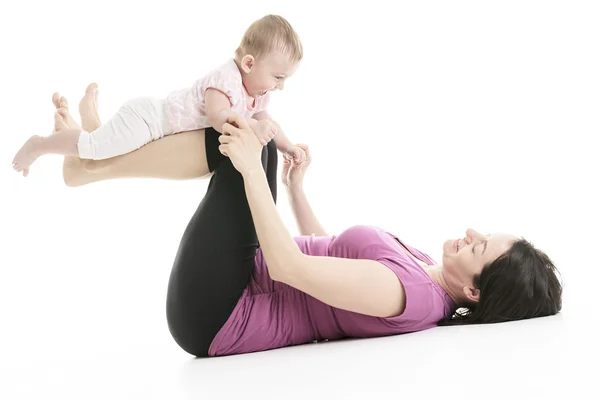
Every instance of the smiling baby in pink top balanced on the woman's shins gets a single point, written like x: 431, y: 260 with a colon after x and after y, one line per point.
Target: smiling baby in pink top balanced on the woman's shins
x: 267, y: 55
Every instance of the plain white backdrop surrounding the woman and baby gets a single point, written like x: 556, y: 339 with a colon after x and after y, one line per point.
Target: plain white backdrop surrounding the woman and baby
x: 424, y: 118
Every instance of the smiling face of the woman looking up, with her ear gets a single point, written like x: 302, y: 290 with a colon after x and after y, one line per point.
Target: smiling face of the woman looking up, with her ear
x: 464, y: 258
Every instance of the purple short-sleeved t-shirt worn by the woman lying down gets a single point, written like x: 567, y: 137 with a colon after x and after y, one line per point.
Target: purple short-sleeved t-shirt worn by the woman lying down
x: 271, y: 314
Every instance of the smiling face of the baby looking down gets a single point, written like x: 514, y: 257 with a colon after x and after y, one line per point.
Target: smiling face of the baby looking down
x: 268, y: 74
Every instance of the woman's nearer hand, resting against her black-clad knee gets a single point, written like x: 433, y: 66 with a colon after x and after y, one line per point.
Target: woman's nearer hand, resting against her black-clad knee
x: 240, y: 144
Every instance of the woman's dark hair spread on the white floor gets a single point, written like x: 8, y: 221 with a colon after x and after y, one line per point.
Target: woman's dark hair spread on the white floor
x: 522, y: 283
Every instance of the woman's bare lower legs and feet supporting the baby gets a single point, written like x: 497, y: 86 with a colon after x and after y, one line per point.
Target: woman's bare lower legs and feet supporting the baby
x: 177, y: 157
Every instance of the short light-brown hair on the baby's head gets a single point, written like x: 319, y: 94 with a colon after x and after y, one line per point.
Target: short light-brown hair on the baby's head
x: 268, y: 34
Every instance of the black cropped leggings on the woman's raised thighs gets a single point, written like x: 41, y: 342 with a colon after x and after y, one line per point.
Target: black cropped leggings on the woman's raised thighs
x: 215, y: 259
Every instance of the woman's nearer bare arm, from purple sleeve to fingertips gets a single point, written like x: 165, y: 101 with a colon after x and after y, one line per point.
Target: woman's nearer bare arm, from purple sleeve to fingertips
x: 362, y: 286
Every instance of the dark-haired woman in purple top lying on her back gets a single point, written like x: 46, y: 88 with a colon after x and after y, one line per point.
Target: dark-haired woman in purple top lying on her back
x: 227, y: 295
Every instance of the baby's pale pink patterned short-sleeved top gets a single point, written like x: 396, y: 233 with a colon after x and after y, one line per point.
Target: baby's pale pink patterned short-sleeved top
x: 186, y: 108
